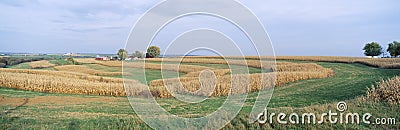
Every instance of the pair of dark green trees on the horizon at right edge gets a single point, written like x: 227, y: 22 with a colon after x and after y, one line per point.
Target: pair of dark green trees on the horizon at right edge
x: 374, y: 49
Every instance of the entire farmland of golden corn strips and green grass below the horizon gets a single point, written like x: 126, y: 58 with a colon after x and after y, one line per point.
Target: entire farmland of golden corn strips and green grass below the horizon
x: 323, y: 86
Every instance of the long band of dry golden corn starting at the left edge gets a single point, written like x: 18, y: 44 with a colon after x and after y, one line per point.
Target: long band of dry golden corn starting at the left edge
x: 66, y: 82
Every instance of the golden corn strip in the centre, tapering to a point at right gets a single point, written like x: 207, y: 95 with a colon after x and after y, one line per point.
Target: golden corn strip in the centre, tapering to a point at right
x: 285, y: 73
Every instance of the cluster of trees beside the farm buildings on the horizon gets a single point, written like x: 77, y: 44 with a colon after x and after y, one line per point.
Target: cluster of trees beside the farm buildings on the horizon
x: 152, y: 52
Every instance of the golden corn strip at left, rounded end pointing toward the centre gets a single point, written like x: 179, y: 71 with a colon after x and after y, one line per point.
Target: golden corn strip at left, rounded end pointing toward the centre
x: 42, y: 82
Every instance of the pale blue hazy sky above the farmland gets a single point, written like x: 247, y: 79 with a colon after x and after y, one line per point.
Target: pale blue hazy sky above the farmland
x: 301, y: 27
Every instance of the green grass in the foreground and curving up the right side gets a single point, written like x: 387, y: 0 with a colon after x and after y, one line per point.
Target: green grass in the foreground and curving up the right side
x: 95, y: 112
